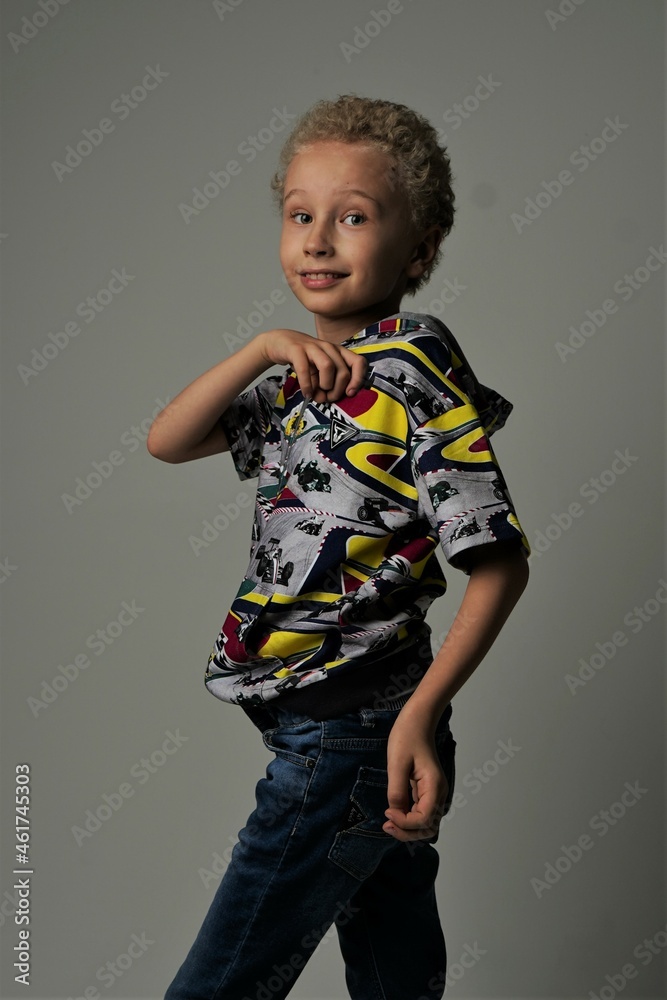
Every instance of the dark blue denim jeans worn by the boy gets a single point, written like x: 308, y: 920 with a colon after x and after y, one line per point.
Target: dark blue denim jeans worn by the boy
x: 313, y: 854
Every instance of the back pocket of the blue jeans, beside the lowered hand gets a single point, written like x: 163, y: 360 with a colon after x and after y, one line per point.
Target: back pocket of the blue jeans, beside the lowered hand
x: 360, y: 842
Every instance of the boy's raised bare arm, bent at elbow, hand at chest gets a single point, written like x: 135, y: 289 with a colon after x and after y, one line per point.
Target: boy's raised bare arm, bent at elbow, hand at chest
x: 189, y: 427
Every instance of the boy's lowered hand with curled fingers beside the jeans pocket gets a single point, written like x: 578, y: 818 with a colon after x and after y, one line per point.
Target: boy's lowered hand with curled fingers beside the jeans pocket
x: 412, y: 762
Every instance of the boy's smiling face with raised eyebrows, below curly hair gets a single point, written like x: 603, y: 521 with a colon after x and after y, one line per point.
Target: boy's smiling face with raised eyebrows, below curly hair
x: 347, y: 245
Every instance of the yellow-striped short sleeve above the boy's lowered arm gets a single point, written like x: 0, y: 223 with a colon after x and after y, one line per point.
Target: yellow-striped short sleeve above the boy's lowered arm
x: 461, y: 488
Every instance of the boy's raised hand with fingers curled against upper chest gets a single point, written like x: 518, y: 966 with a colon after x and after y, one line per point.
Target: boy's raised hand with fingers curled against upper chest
x: 325, y: 372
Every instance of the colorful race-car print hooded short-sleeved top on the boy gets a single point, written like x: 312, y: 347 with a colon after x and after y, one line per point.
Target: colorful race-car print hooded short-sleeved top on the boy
x: 353, y: 499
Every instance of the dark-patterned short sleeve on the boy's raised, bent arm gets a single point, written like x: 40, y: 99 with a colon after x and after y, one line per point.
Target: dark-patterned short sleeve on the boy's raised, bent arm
x: 246, y: 423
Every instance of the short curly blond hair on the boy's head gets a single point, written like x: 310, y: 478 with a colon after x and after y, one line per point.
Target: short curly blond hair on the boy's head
x: 422, y: 165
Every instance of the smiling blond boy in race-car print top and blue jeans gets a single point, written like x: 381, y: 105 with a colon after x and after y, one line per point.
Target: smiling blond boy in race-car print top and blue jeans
x: 371, y: 449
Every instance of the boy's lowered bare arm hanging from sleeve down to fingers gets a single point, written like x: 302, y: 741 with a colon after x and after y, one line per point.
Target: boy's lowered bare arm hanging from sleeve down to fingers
x: 498, y: 577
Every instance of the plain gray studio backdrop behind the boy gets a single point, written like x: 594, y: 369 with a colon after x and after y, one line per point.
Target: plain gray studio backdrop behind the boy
x: 67, y: 573
